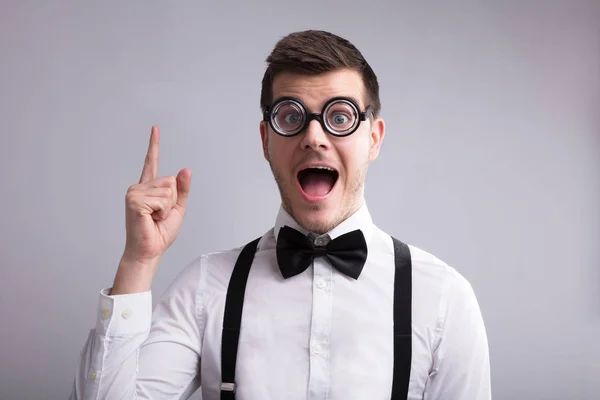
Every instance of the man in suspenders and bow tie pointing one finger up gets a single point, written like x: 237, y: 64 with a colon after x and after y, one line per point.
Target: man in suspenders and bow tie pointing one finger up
x: 314, y: 324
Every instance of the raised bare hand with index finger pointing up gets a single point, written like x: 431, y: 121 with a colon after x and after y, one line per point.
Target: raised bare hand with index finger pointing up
x: 155, y: 208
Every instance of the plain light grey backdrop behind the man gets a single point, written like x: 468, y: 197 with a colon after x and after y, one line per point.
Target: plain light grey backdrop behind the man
x: 491, y: 160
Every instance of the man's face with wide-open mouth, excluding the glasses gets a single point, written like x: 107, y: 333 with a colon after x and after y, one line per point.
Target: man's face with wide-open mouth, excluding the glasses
x: 319, y: 200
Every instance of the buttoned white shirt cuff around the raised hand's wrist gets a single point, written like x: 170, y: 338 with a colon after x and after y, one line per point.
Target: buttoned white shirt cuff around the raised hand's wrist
x: 123, y: 314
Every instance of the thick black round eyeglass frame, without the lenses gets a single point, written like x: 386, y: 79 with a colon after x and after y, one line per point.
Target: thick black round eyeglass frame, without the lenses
x: 361, y: 116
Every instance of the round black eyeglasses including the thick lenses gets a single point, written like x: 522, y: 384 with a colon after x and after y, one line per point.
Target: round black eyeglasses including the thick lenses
x: 340, y: 116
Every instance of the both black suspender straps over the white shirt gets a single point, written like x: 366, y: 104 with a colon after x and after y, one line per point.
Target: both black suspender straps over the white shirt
x: 234, y: 304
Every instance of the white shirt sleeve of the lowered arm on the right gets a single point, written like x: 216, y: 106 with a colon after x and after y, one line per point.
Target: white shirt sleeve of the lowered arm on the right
x: 461, y: 368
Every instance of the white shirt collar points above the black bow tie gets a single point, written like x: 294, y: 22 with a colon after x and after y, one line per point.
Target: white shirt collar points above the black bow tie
x: 361, y: 219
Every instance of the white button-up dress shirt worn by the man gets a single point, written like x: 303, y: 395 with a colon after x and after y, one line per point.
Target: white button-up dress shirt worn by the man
x: 318, y: 335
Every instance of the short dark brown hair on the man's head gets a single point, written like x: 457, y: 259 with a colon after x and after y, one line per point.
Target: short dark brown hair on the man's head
x: 313, y: 52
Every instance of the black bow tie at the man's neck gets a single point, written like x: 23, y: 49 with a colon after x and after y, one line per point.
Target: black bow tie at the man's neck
x: 295, y: 252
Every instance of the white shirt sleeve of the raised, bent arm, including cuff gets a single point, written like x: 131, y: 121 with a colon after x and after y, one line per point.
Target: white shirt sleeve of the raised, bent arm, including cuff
x: 135, y: 352
